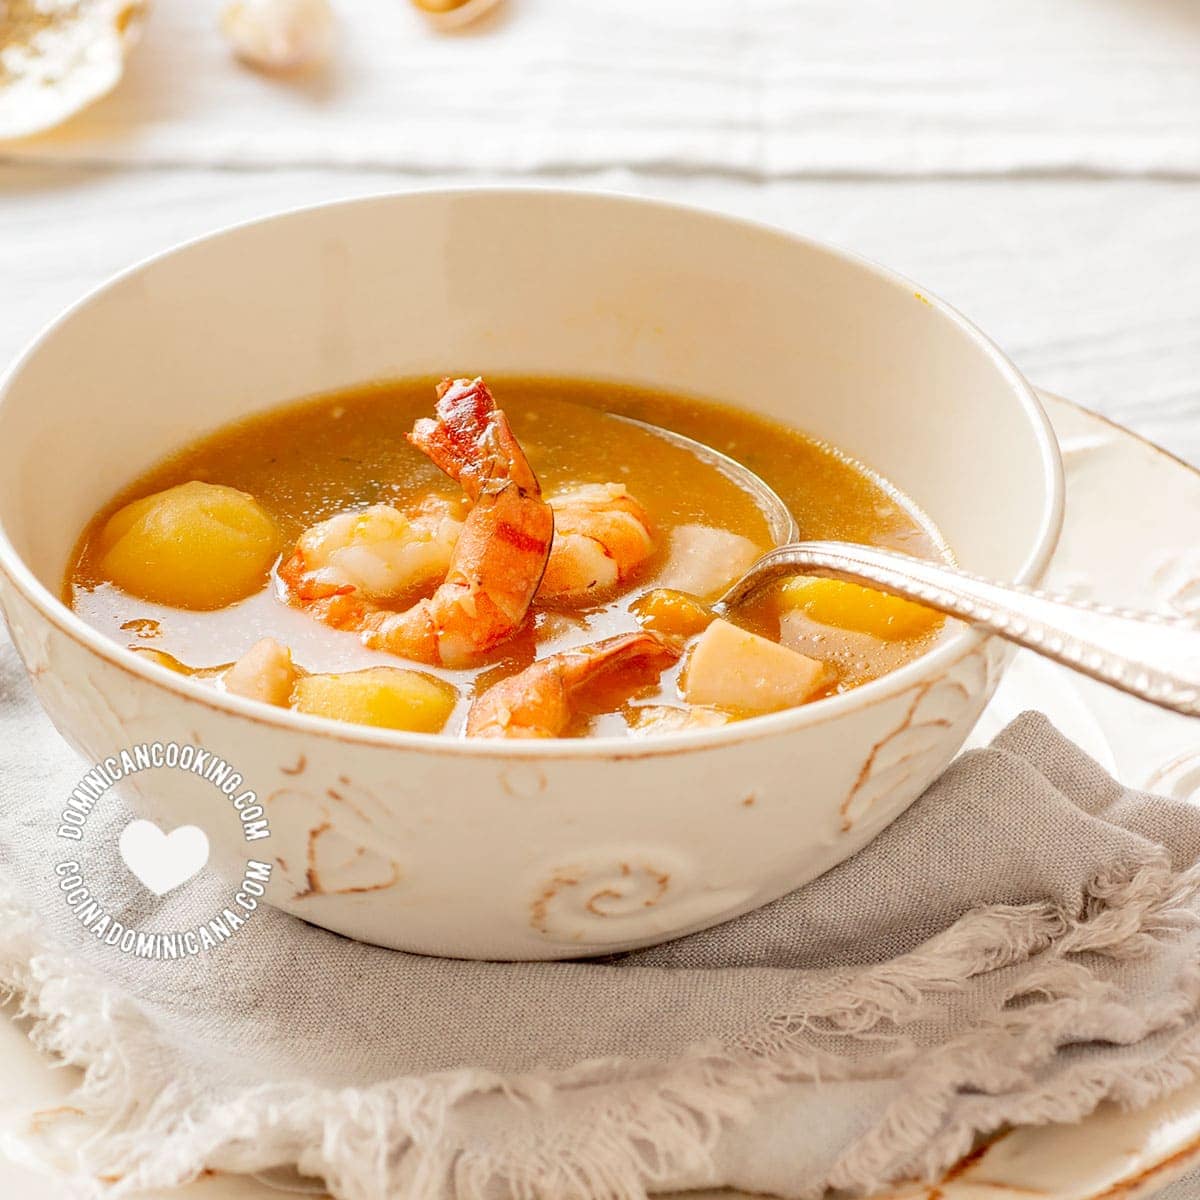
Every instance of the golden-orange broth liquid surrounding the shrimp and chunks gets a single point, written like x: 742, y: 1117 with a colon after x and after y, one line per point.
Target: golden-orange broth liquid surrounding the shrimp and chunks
x: 307, y: 461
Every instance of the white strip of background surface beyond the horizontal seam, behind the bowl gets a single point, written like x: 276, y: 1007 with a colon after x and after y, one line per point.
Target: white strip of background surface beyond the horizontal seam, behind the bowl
x: 767, y: 87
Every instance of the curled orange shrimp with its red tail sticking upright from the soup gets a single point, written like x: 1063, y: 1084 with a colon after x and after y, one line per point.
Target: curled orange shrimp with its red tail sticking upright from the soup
x: 499, y: 557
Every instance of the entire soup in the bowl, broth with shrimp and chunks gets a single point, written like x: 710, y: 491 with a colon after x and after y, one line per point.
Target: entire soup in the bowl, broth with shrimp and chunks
x: 497, y: 561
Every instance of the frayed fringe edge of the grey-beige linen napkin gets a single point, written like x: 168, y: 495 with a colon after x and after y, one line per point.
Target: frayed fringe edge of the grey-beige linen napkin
x: 656, y: 1126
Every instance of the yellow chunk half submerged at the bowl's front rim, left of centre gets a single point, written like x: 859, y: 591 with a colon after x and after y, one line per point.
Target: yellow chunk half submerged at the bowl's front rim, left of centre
x: 392, y: 698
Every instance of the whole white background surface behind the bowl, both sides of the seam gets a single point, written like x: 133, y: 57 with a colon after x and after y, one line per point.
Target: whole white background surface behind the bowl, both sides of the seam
x: 1037, y: 165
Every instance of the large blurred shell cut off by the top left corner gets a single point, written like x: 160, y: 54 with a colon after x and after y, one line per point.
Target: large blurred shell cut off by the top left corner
x: 57, y: 57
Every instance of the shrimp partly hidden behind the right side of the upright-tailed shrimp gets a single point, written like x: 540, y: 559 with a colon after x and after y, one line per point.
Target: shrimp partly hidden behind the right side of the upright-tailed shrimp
x: 602, y: 537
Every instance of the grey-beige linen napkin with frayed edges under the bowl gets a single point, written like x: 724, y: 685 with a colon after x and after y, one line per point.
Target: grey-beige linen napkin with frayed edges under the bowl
x: 1018, y: 947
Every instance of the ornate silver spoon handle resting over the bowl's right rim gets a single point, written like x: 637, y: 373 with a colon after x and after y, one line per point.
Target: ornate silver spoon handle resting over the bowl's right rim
x: 1150, y: 657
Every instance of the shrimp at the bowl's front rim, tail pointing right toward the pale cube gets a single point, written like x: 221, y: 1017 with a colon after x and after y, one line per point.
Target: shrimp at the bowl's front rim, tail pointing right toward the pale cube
x: 539, y: 701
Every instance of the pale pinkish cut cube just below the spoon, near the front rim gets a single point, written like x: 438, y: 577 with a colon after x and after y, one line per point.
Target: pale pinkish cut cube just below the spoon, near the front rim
x: 737, y: 670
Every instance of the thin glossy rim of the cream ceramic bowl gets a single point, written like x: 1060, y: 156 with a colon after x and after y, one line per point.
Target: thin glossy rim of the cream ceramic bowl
x: 934, y: 662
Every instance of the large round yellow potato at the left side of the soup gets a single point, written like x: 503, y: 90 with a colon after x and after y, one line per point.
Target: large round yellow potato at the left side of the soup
x: 194, y: 547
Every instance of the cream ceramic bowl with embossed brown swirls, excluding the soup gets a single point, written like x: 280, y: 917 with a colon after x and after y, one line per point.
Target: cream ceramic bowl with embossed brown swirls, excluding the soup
x: 493, y: 850
